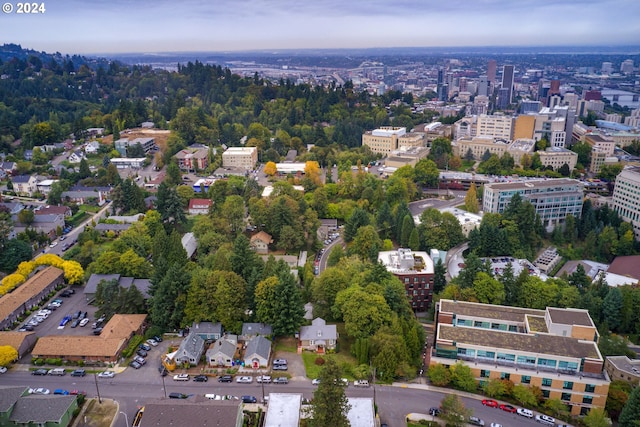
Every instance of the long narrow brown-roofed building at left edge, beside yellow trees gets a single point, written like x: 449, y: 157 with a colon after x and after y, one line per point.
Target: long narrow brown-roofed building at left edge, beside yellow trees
x: 28, y: 295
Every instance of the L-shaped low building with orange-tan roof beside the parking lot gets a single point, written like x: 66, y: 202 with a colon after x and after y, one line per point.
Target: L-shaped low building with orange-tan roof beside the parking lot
x: 106, y: 347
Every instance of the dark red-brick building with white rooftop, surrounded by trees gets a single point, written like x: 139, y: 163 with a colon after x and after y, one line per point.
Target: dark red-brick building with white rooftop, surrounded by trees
x: 415, y: 270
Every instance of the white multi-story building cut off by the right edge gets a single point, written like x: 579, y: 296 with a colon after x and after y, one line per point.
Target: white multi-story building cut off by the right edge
x: 626, y: 197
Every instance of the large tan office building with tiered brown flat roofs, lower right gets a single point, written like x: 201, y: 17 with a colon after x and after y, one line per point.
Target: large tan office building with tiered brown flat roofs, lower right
x: 554, y: 349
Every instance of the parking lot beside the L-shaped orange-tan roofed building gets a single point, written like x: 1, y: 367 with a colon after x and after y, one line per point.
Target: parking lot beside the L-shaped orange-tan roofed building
x: 70, y: 305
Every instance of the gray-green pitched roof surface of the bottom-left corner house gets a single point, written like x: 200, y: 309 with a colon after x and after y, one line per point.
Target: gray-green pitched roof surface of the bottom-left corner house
x: 39, y: 409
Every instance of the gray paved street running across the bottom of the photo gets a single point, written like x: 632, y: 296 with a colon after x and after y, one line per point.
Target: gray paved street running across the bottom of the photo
x: 132, y: 389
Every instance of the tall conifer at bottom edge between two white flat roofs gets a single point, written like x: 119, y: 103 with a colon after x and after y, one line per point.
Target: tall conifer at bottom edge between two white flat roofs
x: 330, y: 406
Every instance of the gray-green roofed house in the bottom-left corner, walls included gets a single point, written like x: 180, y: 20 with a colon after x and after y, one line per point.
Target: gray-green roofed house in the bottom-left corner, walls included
x: 43, y: 410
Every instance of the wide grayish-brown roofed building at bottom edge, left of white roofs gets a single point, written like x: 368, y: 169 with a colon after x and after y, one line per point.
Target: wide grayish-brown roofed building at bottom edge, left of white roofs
x: 196, y: 411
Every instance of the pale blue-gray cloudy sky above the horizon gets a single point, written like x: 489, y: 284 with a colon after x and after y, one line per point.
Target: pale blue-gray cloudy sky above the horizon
x: 119, y: 26
